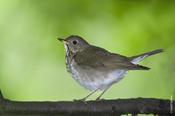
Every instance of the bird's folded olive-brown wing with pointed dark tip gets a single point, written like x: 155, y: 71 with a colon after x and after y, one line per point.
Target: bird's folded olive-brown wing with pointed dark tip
x: 100, y: 58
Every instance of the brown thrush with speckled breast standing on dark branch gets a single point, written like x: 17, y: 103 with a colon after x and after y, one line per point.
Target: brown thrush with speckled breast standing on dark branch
x: 95, y: 68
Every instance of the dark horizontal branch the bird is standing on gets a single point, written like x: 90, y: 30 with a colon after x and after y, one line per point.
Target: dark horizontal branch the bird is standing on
x: 103, y: 107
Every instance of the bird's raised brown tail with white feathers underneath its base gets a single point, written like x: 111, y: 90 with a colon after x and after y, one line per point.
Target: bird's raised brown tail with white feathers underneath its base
x: 138, y: 58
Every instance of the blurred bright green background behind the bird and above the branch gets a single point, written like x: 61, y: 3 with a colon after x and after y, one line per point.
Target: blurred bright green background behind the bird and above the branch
x: 32, y: 61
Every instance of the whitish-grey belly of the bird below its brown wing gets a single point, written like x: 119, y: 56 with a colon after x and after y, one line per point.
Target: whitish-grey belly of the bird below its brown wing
x: 93, y: 79
